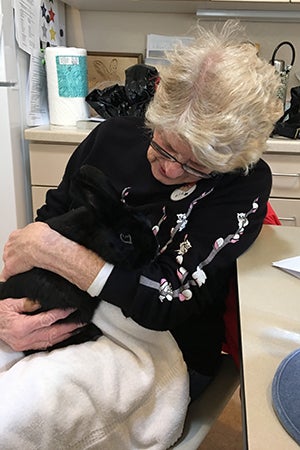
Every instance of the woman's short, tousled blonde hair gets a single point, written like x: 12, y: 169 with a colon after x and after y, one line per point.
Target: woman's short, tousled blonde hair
x: 218, y: 96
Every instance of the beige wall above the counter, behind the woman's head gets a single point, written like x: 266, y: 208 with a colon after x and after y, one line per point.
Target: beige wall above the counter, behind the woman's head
x: 127, y: 32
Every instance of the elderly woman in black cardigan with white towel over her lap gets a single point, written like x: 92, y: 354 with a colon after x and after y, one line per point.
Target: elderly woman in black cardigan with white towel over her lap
x: 195, y: 167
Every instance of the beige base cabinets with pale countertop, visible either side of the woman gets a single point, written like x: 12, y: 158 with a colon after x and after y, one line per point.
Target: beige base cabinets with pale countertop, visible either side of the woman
x: 51, y: 147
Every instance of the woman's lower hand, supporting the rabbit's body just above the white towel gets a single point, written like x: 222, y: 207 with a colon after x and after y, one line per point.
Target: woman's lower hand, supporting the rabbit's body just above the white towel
x: 32, y: 332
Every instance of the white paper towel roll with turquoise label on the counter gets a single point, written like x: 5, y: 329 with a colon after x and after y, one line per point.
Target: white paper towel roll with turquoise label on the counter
x: 67, y: 83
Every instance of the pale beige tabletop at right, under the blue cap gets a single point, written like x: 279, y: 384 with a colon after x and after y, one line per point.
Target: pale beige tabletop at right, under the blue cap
x: 269, y: 310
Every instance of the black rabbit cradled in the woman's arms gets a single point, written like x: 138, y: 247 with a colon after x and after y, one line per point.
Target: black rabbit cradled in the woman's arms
x: 102, y: 223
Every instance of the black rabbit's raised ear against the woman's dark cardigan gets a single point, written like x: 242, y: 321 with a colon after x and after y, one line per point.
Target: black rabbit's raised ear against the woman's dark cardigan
x: 91, y: 188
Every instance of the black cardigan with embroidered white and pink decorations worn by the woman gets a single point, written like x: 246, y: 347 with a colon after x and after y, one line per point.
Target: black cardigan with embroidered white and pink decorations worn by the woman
x: 200, y: 236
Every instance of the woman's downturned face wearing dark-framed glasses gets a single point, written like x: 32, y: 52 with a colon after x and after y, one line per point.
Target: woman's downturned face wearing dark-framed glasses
x: 170, y: 171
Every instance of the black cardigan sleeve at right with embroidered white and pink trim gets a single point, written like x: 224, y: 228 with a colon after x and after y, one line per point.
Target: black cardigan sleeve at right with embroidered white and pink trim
x: 191, y: 275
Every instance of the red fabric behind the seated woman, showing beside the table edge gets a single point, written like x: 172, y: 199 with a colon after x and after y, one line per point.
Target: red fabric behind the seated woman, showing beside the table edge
x: 232, y: 344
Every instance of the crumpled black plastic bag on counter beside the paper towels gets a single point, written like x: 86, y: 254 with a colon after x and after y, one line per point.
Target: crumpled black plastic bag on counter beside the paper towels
x: 129, y: 100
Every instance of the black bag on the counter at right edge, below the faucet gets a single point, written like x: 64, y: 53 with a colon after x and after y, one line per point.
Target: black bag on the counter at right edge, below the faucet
x: 289, y: 124
